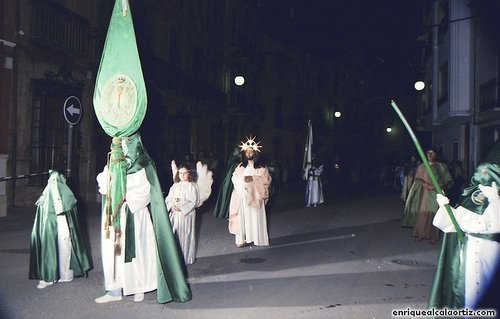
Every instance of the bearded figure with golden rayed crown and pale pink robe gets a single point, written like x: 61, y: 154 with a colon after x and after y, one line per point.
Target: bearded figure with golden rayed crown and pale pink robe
x: 247, y: 208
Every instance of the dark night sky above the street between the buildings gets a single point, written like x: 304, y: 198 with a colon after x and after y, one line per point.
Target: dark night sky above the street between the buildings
x: 381, y: 33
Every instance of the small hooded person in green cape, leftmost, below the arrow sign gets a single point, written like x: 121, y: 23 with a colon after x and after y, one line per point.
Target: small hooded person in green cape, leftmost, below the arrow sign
x: 57, y: 250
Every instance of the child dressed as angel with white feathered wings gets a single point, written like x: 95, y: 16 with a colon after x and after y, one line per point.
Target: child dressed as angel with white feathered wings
x: 185, y: 195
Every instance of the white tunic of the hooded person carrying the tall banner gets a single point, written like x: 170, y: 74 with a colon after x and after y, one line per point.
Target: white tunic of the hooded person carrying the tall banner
x: 139, y: 275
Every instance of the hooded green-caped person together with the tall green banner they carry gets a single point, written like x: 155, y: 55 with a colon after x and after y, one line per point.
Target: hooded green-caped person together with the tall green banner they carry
x: 139, y: 250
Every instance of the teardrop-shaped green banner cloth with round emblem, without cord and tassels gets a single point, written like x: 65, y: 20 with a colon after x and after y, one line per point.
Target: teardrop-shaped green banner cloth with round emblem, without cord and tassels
x: 120, y: 99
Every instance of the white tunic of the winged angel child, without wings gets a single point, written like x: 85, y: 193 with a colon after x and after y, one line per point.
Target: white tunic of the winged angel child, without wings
x: 184, y: 195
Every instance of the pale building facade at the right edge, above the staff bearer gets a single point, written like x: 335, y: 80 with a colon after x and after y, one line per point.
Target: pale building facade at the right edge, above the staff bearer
x: 461, y: 58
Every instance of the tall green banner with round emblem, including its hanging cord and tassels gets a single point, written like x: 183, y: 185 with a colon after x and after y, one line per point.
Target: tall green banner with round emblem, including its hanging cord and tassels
x: 120, y: 102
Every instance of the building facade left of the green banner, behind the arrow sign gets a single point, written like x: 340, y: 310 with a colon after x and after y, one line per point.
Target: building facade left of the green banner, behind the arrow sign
x: 49, y: 52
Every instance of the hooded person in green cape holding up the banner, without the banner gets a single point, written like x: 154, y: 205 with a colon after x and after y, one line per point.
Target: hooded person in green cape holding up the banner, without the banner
x: 139, y: 250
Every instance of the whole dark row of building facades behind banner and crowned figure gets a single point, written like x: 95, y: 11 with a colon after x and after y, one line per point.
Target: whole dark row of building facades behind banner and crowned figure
x: 190, y: 53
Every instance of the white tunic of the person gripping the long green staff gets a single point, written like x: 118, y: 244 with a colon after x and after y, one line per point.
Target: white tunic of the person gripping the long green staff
x: 482, y: 255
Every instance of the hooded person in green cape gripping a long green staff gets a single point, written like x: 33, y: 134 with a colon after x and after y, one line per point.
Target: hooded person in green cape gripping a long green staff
x: 467, y: 272
